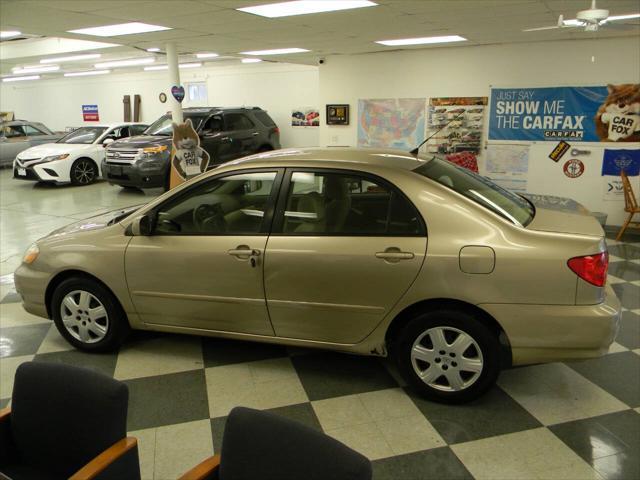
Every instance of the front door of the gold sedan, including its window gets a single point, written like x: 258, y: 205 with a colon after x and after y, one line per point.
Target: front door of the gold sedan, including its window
x: 202, y: 267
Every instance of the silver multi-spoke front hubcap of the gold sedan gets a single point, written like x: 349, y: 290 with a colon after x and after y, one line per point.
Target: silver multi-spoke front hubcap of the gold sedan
x: 84, y: 316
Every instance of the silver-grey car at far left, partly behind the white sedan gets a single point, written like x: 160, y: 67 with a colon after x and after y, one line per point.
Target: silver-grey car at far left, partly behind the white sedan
x: 18, y: 135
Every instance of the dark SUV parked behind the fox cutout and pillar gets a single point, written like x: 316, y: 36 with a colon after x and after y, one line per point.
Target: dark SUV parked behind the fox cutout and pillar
x: 225, y: 133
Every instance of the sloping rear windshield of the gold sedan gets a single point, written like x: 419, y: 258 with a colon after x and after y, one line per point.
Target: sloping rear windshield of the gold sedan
x: 479, y: 189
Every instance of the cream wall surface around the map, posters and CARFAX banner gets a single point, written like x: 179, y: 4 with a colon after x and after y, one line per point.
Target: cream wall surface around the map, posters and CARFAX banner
x: 471, y: 71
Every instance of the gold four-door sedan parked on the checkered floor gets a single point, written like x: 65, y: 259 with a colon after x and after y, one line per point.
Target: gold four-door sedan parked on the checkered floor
x: 365, y: 251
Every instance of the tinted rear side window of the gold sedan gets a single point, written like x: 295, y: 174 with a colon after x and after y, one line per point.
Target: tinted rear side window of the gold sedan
x: 347, y: 204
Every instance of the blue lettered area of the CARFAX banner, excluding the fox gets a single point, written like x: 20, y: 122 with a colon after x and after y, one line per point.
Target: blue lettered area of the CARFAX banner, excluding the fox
x: 553, y: 114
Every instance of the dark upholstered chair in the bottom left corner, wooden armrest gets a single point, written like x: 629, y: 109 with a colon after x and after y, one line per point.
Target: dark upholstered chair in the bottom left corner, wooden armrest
x: 66, y: 422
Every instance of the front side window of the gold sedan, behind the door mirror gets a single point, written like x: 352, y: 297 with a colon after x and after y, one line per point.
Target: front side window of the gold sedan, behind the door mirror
x: 231, y: 205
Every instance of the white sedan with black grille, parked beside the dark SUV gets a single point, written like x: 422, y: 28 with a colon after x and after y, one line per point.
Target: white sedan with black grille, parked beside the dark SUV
x: 75, y: 158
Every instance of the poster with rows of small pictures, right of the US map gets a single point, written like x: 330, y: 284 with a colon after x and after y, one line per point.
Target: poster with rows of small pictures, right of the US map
x: 456, y: 124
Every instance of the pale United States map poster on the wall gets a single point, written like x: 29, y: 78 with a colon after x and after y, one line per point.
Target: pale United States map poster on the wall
x: 391, y: 123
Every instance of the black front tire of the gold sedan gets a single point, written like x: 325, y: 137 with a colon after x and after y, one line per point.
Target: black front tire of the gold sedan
x: 116, y: 324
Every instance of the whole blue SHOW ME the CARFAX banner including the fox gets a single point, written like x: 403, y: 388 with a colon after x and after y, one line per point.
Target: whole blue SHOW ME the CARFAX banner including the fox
x: 577, y: 114
